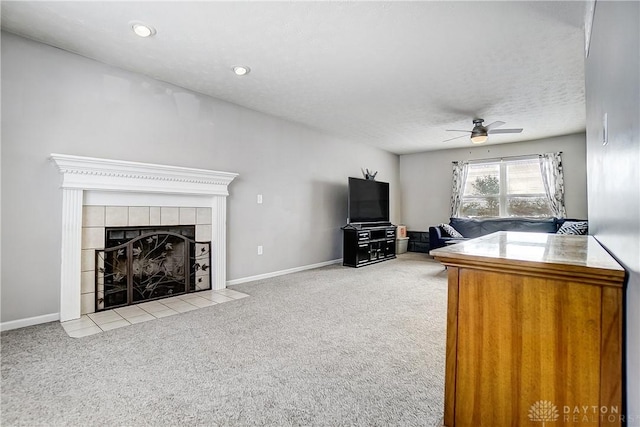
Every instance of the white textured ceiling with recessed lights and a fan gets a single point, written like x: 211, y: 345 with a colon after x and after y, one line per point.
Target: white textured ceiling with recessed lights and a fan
x: 389, y: 74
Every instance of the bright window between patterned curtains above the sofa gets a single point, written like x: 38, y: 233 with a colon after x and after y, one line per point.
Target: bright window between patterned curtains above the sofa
x: 505, y: 188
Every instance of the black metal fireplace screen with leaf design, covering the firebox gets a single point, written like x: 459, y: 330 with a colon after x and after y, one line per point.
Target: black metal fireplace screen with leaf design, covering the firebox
x: 143, y: 264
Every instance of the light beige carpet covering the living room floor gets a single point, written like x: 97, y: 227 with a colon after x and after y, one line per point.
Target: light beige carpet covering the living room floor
x: 327, y: 347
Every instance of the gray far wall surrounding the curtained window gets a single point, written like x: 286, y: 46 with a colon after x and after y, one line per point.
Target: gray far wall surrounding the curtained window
x: 425, y: 178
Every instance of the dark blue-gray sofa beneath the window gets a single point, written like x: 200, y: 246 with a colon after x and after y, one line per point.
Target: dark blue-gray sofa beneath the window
x: 475, y: 227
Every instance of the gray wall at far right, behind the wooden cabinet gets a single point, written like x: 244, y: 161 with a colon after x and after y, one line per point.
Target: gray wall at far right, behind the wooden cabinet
x: 613, y: 87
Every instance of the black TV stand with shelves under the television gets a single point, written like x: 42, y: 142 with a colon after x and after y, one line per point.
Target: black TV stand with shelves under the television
x: 368, y: 243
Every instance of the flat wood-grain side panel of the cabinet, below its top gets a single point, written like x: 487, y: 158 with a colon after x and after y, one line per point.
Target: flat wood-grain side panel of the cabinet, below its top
x: 522, y: 340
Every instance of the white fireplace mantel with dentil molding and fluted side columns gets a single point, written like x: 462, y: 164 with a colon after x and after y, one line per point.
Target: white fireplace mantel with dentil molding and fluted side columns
x: 83, y: 175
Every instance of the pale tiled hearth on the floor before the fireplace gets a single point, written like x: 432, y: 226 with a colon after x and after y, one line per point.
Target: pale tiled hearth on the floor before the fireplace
x: 94, y: 323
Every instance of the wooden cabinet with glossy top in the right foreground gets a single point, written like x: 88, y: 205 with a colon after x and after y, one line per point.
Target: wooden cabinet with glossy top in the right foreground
x: 534, y: 331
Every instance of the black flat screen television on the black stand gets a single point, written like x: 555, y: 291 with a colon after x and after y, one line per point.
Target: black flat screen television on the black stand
x: 368, y: 200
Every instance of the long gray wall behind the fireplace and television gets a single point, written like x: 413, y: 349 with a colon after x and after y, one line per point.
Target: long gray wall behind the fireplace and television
x: 58, y: 102
